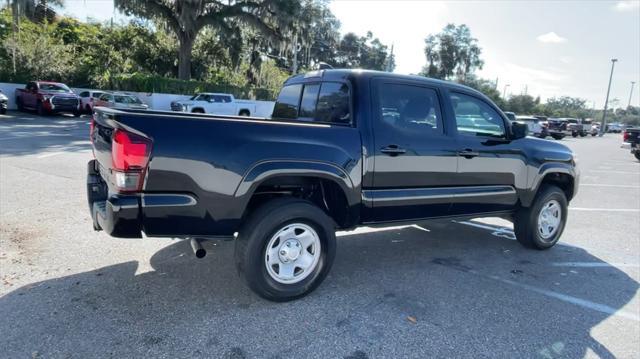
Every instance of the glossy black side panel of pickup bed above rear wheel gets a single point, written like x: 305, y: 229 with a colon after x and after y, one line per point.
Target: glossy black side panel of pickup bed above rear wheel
x: 211, y: 159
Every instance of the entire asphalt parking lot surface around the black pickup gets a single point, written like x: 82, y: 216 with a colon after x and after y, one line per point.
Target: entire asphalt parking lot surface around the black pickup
x: 454, y: 289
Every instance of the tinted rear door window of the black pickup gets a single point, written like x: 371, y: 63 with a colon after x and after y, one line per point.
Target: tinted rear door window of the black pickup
x: 411, y: 110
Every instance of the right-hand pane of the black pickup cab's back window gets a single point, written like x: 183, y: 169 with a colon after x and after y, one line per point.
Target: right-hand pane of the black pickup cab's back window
x: 333, y: 103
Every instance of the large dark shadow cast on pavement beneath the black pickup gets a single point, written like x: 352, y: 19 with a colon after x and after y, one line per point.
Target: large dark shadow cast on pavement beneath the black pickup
x: 453, y: 292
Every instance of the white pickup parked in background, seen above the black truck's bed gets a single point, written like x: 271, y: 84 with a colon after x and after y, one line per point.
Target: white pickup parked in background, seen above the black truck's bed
x: 215, y: 103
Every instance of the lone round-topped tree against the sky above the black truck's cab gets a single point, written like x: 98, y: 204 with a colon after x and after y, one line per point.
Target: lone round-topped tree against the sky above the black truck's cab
x: 452, y: 52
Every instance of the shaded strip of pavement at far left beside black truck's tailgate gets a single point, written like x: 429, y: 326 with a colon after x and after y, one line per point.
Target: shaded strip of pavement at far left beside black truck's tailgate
x: 27, y: 134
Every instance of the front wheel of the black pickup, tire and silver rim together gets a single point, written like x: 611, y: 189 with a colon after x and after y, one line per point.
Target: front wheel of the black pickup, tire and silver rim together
x: 540, y: 225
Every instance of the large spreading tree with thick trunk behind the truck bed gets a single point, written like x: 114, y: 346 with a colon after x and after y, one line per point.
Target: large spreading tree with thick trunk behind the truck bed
x: 186, y: 18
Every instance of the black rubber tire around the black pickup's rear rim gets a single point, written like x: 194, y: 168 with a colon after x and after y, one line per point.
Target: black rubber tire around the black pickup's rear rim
x: 256, y: 233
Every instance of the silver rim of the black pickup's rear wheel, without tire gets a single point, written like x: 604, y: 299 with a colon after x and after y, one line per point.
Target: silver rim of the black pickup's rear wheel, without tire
x: 292, y: 253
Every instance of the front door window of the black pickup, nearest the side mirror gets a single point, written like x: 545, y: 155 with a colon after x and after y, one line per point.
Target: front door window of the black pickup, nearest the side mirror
x: 475, y: 117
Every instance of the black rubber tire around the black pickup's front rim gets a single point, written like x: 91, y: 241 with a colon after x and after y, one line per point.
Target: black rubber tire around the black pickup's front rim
x: 525, y: 222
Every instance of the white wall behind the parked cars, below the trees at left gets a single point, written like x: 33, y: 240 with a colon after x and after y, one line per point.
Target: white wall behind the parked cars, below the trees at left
x: 156, y: 101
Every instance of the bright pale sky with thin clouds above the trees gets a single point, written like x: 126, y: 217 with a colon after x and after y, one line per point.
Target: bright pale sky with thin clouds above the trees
x: 548, y: 48
